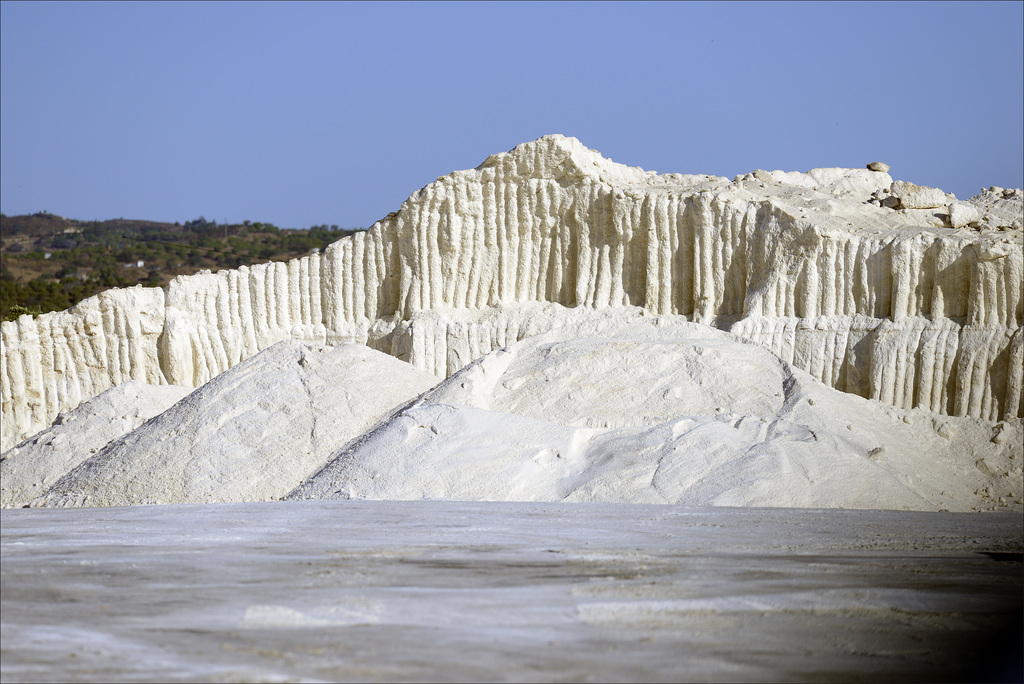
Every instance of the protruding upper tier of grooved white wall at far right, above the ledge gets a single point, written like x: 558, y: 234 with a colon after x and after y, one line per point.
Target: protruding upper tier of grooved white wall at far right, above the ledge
x: 797, y: 269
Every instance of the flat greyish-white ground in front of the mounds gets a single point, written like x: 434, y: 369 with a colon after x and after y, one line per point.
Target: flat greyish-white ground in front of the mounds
x: 441, y: 590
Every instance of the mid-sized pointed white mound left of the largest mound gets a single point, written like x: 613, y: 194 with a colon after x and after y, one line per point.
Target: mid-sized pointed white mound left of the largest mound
x: 252, y: 434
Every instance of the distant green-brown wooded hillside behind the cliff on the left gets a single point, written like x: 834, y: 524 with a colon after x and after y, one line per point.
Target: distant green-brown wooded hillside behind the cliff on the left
x: 50, y: 264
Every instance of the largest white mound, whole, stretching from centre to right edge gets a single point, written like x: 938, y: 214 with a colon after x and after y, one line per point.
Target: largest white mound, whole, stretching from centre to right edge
x: 697, y: 417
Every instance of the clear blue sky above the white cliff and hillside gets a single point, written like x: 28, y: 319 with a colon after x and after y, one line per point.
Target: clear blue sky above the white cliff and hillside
x: 321, y: 113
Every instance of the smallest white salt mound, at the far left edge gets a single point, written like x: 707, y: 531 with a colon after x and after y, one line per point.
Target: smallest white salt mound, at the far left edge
x: 27, y: 471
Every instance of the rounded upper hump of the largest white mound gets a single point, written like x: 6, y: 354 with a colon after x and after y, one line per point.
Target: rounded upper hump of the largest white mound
x: 619, y: 372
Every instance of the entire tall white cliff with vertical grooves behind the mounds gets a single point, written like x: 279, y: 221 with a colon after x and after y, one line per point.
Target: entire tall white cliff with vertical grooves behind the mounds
x: 862, y: 282
